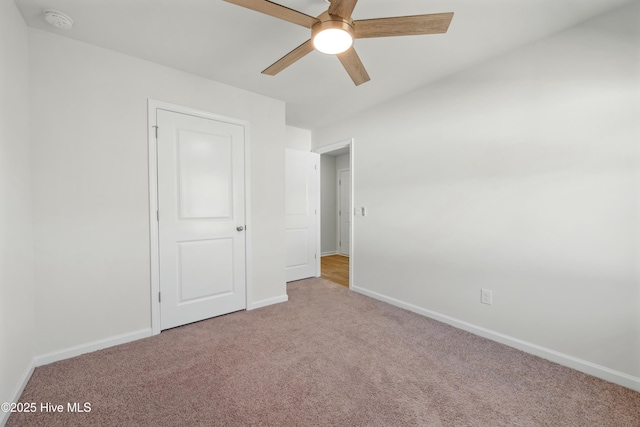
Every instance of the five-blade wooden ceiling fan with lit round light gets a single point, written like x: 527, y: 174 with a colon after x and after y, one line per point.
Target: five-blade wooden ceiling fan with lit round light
x: 333, y: 32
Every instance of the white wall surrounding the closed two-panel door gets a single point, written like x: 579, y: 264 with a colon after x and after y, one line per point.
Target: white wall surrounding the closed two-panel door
x: 91, y: 201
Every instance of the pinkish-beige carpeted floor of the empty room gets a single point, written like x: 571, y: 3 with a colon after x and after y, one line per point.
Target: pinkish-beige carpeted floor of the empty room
x: 329, y: 356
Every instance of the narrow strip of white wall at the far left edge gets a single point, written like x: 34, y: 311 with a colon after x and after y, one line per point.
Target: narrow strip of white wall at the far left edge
x: 16, y: 238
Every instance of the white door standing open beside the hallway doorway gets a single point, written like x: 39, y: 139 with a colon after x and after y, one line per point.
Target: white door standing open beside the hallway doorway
x: 301, y: 214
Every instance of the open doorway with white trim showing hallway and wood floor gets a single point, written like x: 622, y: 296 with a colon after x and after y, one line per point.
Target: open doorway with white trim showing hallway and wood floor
x: 336, y: 207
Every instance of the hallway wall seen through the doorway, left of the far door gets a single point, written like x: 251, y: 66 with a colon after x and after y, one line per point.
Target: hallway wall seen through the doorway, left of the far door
x: 328, y: 202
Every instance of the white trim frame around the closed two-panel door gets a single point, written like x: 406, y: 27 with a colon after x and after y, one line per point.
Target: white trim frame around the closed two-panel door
x: 152, y: 107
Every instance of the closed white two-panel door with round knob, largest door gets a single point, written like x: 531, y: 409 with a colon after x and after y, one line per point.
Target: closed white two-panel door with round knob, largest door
x: 201, y: 213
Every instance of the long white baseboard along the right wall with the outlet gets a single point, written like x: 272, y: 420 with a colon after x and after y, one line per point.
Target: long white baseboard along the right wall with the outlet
x: 590, y: 368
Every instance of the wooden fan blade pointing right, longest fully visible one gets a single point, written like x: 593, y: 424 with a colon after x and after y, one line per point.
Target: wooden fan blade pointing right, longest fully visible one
x: 436, y: 23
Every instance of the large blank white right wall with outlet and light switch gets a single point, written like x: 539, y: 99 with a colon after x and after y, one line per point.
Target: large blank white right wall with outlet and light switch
x: 520, y: 175
